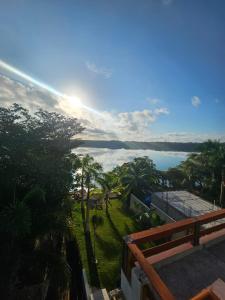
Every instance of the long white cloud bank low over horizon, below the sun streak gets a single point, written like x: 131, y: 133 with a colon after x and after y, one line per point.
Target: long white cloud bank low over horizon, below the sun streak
x: 126, y: 126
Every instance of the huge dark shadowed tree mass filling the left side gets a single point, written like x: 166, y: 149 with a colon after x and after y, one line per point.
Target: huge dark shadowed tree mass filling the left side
x: 35, y: 178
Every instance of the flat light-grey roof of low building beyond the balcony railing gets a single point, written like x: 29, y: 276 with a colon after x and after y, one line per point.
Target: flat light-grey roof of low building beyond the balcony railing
x: 187, y: 203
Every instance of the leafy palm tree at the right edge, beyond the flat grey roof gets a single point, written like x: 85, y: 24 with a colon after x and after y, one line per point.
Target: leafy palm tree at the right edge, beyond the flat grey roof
x: 201, y: 172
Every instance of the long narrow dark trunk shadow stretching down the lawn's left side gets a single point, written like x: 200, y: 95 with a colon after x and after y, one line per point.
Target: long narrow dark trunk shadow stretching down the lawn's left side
x: 93, y: 271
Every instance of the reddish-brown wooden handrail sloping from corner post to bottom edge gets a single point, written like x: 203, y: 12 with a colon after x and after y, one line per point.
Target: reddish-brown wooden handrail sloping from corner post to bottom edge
x: 152, y: 275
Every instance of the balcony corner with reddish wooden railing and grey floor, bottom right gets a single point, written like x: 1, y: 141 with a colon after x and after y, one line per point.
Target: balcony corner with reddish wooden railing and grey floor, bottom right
x: 191, y: 266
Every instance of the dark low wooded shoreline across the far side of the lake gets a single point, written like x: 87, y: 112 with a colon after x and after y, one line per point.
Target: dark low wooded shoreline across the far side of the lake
x: 157, y: 146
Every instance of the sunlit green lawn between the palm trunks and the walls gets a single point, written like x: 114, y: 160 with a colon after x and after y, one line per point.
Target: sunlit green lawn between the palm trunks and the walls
x: 108, y: 241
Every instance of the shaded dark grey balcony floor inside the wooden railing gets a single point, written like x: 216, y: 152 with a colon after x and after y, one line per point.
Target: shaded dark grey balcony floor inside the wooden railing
x: 189, y: 275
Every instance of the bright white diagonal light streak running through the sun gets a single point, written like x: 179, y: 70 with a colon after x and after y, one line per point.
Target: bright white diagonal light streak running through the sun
x: 74, y: 101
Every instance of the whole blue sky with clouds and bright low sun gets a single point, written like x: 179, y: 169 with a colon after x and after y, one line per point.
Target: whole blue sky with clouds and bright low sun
x: 147, y: 70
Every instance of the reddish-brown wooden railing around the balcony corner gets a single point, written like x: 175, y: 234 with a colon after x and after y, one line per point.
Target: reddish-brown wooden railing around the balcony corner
x: 191, y: 230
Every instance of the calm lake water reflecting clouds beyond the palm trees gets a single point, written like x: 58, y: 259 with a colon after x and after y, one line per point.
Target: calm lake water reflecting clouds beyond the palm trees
x: 110, y: 158
